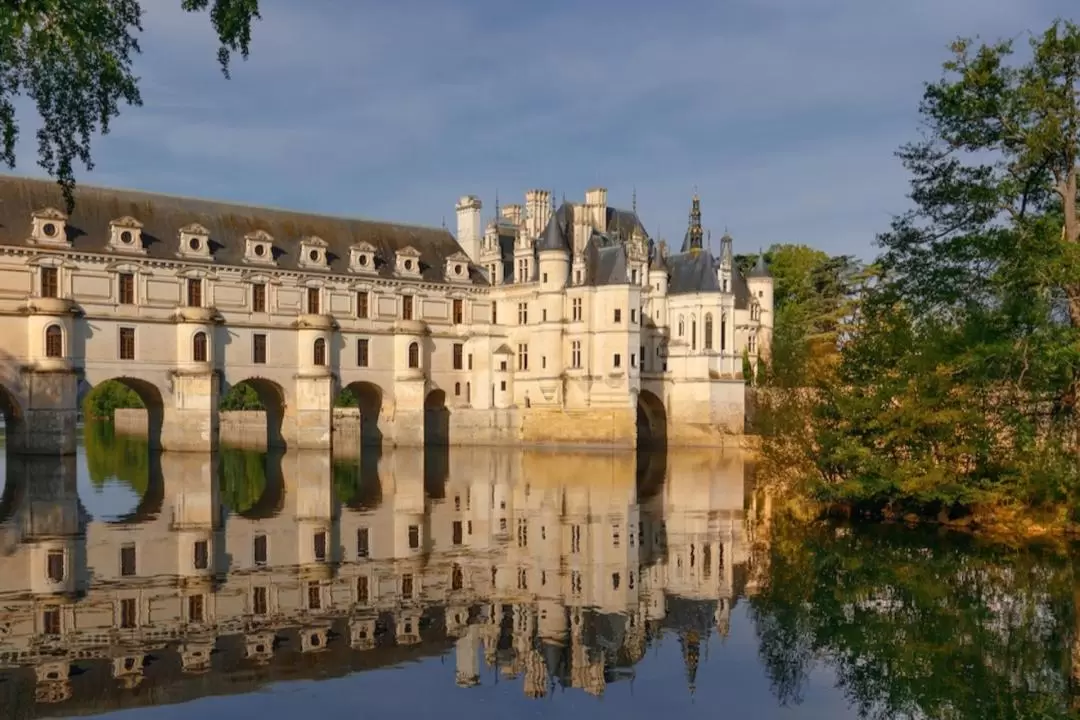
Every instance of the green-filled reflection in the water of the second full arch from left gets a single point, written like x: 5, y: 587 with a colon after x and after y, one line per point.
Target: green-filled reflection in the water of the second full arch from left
x: 251, y: 483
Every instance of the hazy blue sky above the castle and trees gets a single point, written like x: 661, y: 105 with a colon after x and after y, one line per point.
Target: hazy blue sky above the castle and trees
x: 784, y: 114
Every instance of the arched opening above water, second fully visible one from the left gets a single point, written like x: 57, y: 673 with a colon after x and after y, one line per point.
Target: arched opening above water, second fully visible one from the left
x: 251, y: 416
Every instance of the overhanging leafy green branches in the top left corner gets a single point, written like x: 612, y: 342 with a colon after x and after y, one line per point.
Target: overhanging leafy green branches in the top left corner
x: 74, y: 60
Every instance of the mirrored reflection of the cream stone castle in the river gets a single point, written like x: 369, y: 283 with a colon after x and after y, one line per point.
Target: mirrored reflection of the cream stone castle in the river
x: 522, y: 570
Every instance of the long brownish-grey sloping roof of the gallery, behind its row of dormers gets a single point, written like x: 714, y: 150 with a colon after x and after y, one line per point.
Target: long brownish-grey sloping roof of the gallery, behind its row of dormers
x: 163, y: 216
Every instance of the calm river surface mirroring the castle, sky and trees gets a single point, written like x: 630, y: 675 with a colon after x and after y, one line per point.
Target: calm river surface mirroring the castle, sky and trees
x: 494, y: 585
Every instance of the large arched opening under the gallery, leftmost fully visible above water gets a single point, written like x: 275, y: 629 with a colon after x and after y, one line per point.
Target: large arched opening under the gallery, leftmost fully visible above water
x: 118, y: 402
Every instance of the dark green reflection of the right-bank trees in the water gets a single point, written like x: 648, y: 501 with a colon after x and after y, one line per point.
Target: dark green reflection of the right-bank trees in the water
x: 919, y: 628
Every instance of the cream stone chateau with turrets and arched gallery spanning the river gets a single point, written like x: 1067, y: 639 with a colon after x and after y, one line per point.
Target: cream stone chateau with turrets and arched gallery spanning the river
x: 563, y: 325
